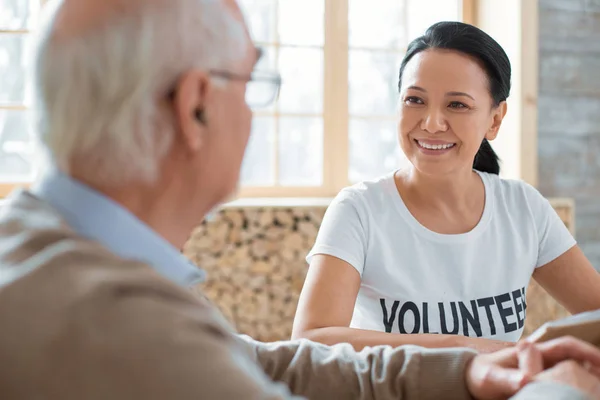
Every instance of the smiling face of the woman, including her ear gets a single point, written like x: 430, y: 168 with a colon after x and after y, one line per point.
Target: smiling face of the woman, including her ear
x: 446, y: 111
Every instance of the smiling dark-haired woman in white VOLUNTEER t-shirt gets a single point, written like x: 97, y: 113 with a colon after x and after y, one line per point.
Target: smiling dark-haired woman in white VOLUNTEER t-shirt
x: 440, y: 253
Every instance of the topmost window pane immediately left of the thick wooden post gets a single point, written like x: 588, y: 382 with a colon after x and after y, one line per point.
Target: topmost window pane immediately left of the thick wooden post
x: 301, y: 22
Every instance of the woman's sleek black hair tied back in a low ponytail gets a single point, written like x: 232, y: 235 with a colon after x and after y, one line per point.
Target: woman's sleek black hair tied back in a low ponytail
x: 473, y: 41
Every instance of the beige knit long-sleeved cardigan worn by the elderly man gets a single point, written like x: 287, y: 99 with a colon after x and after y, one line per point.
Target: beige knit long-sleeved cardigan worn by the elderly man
x: 77, y: 322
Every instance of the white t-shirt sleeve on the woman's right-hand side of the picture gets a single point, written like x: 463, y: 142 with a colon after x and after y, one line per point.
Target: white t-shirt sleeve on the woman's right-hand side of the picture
x: 554, y: 237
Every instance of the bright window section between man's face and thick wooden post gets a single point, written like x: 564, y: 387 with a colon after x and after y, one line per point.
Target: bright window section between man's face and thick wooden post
x: 286, y: 145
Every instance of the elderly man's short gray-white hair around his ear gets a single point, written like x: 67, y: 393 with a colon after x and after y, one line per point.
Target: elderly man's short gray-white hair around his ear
x: 98, y: 93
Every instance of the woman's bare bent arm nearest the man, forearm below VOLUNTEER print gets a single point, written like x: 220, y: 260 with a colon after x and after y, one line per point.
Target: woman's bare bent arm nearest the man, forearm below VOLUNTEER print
x: 327, y: 302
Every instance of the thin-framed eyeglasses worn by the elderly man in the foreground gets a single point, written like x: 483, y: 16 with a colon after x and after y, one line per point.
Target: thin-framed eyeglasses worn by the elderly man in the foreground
x: 262, y: 88
